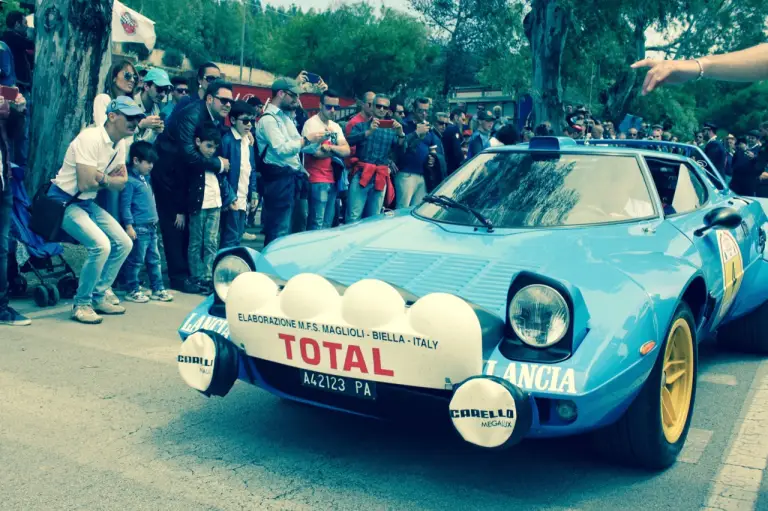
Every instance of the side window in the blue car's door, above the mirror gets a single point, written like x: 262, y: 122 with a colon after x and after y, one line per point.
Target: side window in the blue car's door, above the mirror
x: 680, y: 187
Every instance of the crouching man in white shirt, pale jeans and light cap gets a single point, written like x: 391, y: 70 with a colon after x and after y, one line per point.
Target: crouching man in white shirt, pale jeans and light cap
x: 95, y: 160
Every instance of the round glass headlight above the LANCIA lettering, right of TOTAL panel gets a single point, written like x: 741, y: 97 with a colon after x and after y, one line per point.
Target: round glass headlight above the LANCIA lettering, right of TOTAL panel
x: 539, y: 315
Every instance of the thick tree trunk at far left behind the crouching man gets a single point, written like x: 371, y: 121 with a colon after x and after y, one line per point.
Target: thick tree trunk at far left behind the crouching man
x: 72, y: 44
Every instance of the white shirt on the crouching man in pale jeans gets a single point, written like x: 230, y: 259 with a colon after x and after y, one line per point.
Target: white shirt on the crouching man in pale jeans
x: 91, y: 147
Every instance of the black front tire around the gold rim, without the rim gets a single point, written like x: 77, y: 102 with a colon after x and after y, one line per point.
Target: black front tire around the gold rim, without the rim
x: 637, y: 438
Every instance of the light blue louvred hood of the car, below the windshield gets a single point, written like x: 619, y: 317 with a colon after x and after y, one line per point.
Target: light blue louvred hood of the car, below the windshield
x: 423, y: 257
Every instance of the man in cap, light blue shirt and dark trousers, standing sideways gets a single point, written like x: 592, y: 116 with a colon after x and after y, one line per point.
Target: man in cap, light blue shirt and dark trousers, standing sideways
x: 279, y: 144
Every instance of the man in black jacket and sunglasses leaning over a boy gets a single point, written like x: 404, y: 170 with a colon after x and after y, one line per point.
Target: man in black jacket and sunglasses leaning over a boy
x: 177, y: 156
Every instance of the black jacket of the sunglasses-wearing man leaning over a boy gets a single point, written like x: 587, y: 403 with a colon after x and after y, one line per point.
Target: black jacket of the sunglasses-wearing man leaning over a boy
x: 180, y: 166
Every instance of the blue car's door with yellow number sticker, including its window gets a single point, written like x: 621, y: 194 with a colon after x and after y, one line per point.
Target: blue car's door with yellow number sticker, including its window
x: 724, y: 252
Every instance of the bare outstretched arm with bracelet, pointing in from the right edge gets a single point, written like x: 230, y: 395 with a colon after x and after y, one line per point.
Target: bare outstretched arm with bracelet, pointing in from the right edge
x: 748, y: 65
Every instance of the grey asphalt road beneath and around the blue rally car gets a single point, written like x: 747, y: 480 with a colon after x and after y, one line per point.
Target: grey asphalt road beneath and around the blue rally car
x: 97, y: 417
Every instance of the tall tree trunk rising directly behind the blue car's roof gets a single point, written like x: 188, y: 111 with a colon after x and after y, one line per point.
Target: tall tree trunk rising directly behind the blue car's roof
x: 549, y: 24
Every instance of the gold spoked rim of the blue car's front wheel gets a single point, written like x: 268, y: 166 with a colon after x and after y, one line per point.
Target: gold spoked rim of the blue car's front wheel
x: 677, y: 380
